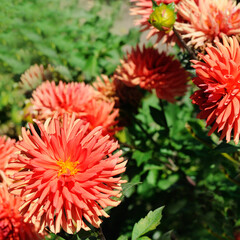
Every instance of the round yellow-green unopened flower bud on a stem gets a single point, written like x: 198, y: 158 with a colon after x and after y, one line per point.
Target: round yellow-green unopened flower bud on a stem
x: 163, y: 17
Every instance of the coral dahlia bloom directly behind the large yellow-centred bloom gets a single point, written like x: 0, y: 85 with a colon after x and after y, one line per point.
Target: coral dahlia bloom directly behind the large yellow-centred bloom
x: 75, y: 98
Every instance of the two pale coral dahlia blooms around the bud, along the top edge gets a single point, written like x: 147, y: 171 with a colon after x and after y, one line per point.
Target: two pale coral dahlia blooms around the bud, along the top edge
x: 199, y: 21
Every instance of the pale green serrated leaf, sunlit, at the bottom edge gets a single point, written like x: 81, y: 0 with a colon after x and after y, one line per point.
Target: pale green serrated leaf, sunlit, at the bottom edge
x: 147, y: 224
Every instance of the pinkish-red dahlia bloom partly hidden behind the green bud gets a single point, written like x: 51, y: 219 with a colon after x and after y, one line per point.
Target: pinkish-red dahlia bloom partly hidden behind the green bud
x: 144, y: 9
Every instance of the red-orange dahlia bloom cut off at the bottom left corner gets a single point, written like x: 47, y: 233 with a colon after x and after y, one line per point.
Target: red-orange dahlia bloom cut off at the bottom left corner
x: 12, y: 226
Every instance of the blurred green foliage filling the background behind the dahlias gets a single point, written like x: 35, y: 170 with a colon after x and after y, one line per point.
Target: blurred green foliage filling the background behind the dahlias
x: 172, y: 162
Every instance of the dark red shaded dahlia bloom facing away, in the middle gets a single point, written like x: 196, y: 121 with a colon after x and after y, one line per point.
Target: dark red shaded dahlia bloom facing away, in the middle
x: 153, y: 70
